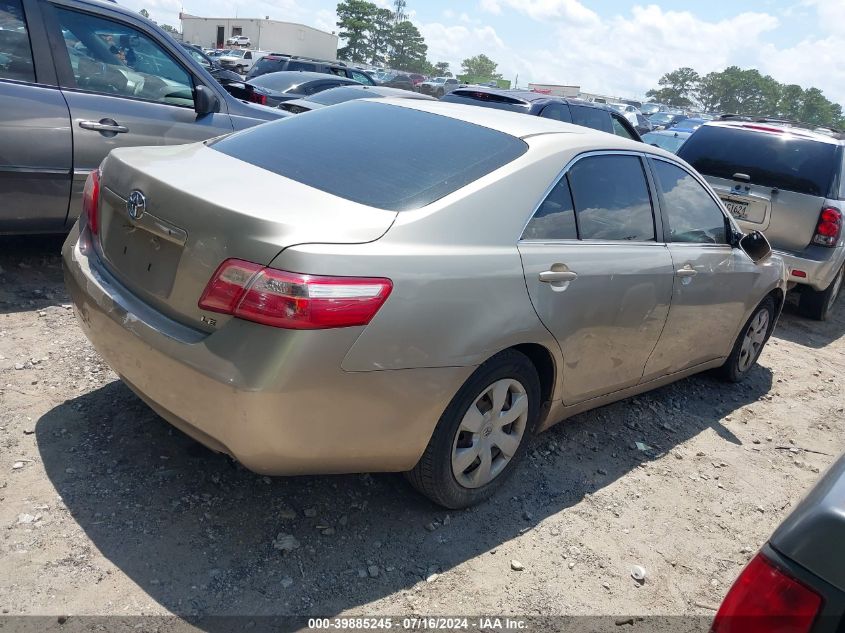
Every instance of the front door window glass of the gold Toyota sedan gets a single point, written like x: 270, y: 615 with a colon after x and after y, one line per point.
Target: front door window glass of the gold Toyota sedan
x: 692, y: 214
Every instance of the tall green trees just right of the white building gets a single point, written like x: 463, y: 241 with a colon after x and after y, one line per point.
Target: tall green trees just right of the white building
x: 378, y: 36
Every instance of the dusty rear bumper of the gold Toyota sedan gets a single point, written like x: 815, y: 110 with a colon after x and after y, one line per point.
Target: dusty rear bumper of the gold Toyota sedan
x: 276, y: 400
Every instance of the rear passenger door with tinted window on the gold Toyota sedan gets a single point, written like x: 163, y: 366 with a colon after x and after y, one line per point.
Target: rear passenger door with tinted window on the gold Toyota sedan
x: 598, y: 278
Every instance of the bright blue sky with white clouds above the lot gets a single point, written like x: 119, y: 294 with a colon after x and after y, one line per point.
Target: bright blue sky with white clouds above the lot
x: 615, y: 47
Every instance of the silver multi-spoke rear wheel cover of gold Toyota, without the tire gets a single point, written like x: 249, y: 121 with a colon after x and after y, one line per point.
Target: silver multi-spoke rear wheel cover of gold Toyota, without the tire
x: 490, y: 433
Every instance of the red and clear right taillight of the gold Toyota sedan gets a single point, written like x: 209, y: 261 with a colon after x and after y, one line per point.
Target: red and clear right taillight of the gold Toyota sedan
x: 292, y: 300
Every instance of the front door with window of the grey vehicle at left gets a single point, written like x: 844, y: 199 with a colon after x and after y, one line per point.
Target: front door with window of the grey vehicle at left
x: 124, y: 88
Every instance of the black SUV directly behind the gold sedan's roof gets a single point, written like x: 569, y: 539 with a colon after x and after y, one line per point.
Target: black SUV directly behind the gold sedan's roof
x: 595, y: 115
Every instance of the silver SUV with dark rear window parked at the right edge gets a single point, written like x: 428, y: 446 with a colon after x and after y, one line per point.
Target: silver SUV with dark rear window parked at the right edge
x: 786, y: 181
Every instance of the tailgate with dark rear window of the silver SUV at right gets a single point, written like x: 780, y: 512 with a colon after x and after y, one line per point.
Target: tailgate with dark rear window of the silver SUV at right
x: 770, y: 180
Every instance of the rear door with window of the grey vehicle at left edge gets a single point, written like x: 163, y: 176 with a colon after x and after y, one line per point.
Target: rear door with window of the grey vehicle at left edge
x: 35, y: 139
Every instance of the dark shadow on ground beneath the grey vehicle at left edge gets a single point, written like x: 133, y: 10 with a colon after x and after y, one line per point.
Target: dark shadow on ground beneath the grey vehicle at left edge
x: 31, y: 273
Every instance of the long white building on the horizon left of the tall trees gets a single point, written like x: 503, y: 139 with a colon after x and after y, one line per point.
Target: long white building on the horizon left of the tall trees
x: 264, y: 34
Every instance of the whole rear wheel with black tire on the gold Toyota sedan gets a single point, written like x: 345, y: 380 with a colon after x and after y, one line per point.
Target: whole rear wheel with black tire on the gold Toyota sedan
x: 507, y: 377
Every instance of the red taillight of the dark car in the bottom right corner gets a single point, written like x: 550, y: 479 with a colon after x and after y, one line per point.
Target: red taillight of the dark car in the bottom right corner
x: 765, y: 599
